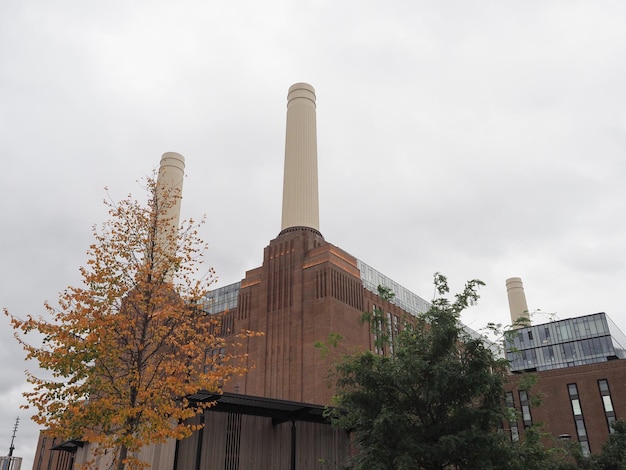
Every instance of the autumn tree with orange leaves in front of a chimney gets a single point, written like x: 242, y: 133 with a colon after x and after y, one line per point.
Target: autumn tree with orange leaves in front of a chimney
x: 125, y: 349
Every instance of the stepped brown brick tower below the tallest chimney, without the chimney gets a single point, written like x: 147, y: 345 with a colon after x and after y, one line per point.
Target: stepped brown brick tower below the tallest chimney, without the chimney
x: 305, y: 289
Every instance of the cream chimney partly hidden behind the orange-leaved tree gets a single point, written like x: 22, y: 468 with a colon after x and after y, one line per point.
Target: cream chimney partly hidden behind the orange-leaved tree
x: 169, y: 191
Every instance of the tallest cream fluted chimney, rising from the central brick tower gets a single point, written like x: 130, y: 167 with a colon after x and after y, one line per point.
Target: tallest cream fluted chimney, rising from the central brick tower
x: 300, y: 196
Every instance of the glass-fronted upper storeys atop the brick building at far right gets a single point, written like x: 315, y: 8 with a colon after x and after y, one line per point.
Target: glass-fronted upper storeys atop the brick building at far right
x: 565, y: 343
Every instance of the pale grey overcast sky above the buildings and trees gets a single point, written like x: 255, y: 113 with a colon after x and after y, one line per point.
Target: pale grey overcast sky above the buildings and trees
x: 480, y: 139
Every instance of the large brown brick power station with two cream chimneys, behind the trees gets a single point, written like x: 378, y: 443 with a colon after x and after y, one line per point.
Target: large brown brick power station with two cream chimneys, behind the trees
x: 306, y: 289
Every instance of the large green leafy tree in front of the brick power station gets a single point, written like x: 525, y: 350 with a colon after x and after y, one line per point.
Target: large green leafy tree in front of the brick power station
x: 434, y: 403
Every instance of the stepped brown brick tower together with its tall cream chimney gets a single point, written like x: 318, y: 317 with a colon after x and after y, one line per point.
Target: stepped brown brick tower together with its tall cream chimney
x: 306, y: 287
